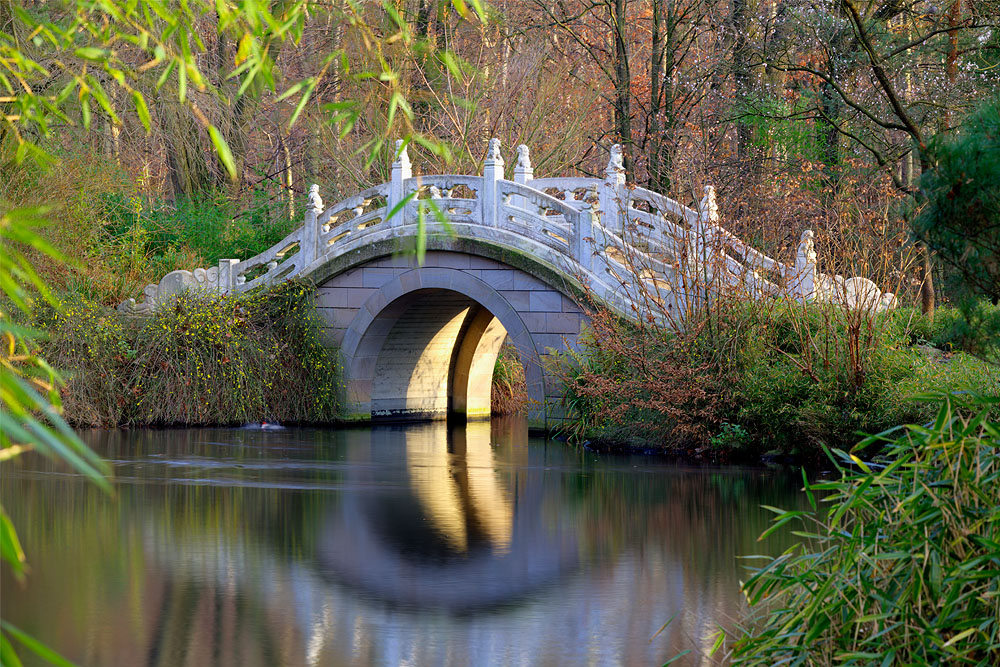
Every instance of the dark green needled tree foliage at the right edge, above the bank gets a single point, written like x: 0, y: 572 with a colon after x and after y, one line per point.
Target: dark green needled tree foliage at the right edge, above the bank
x: 959, y: 204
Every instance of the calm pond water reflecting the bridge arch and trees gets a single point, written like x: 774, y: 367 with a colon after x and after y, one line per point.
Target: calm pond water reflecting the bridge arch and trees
x: 425, y: 544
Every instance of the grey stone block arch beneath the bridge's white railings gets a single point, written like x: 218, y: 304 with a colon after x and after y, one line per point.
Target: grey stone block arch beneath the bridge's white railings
x: 423, y: 342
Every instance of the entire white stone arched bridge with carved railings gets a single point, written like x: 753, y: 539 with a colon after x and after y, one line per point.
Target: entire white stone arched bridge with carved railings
x: 505, y: 260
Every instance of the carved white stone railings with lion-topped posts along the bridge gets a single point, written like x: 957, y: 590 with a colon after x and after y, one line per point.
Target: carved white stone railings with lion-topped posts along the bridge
x: 617, y: 240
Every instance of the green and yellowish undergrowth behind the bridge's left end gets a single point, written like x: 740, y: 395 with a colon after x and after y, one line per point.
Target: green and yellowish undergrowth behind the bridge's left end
x: 117, y: 238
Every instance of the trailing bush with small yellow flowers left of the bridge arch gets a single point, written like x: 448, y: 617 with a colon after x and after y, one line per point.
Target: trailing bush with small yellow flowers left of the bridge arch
x: 204, y: 359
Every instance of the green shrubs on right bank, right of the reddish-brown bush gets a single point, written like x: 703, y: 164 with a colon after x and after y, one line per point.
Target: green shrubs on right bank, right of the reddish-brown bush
x: 804, y: 378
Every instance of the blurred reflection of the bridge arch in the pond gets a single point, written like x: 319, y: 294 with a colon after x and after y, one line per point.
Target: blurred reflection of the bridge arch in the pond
x: 453, y: 532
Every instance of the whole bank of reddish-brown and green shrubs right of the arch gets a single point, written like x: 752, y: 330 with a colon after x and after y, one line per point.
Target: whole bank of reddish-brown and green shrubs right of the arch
x: 765, y: 381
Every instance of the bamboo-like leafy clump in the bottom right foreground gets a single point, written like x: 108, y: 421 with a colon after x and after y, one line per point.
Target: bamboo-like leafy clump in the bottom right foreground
x: 901, y: 567
